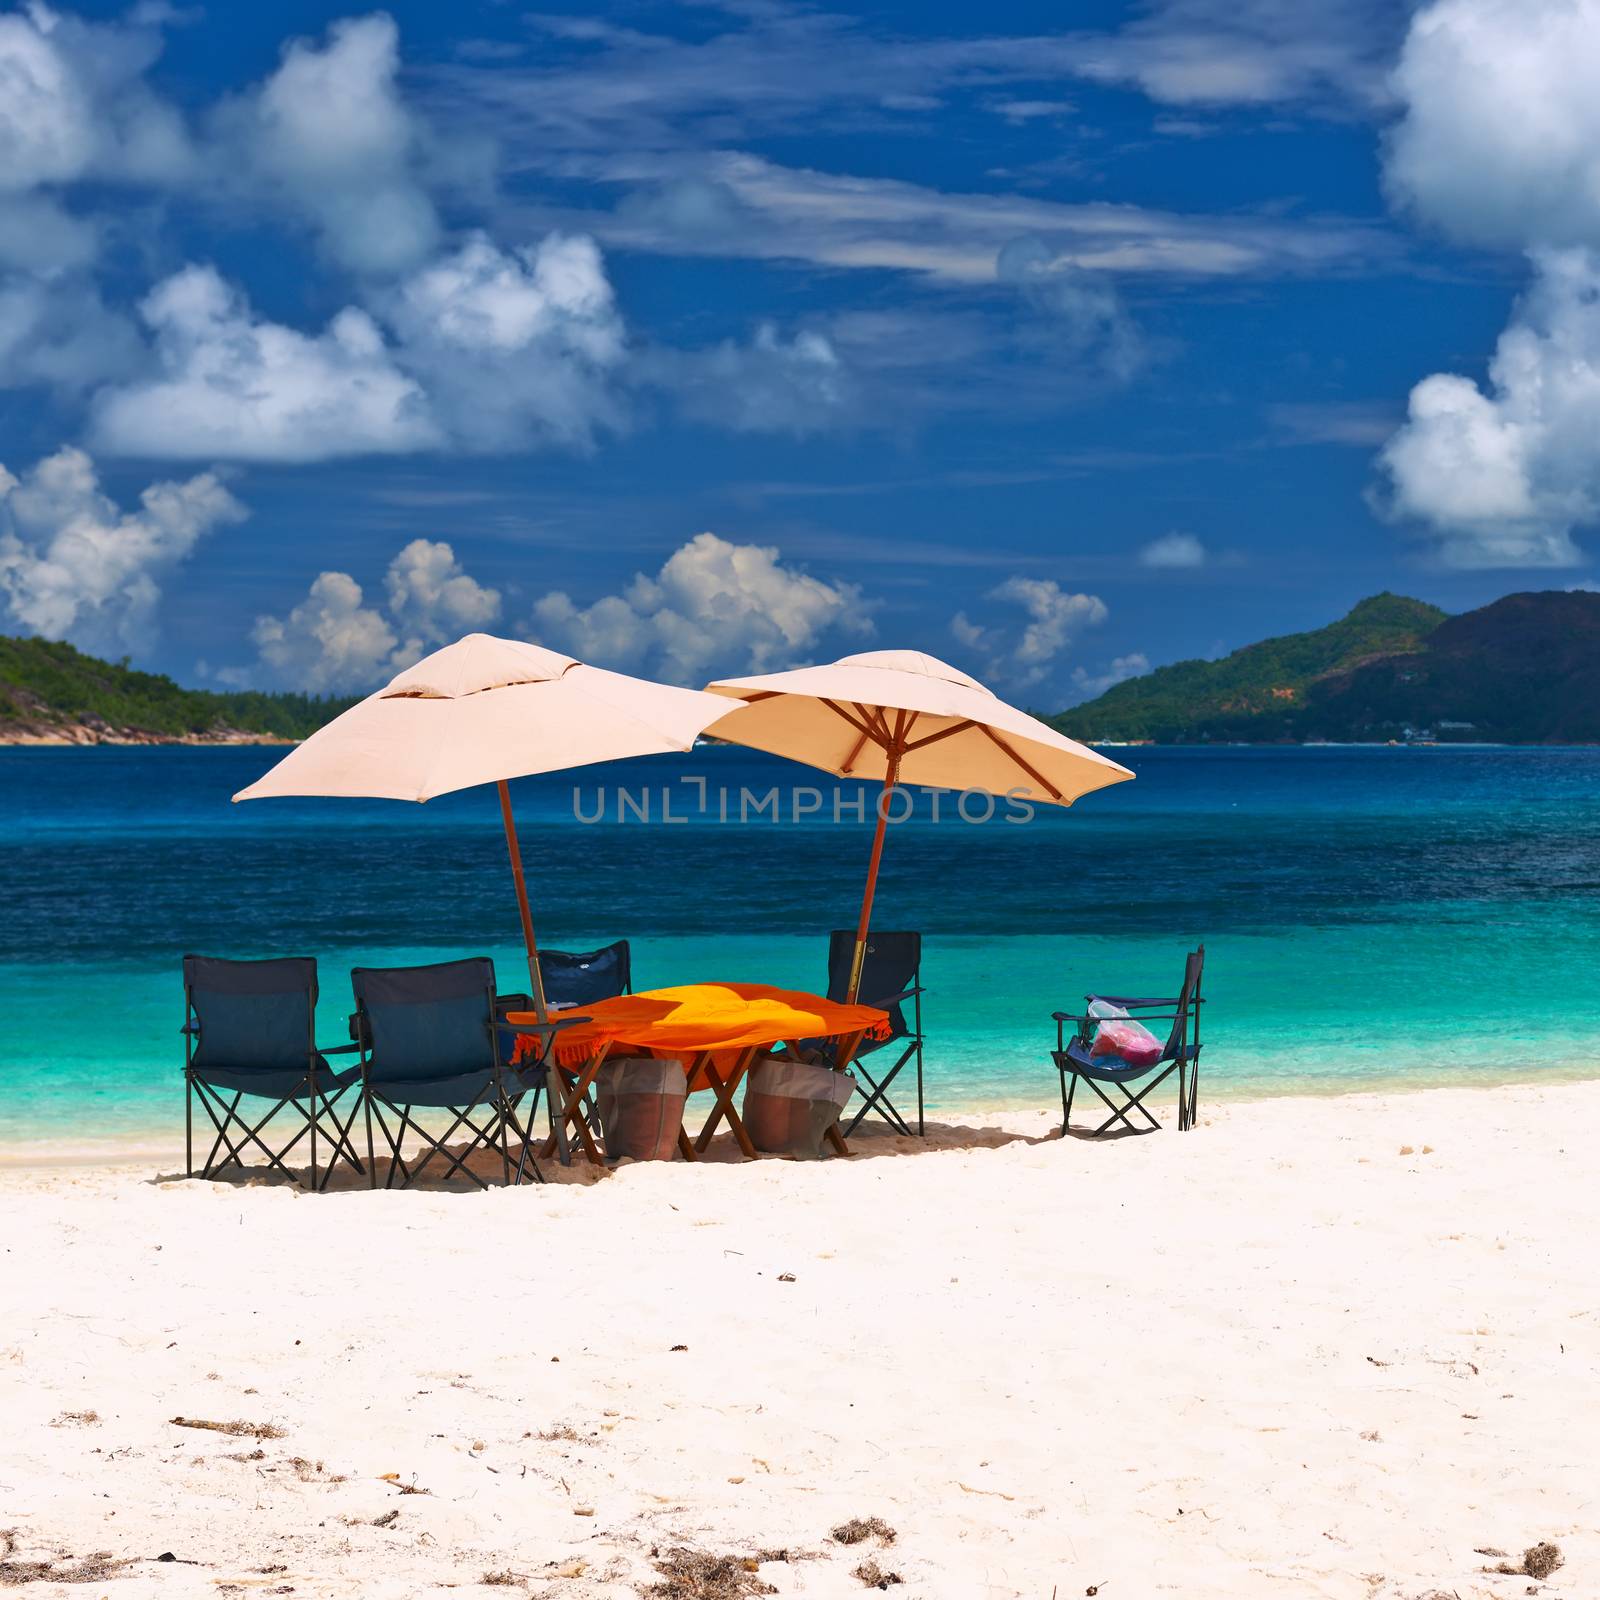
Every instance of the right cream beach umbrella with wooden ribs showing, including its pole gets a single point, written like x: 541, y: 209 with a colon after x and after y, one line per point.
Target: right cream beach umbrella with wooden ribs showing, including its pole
x: 908, y: 719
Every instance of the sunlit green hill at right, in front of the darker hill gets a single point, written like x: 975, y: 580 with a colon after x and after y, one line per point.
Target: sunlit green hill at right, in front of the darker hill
x: 1258, y: 694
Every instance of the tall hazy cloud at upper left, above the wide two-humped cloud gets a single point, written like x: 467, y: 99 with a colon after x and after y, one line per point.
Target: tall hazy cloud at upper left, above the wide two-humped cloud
x: 329, y: 138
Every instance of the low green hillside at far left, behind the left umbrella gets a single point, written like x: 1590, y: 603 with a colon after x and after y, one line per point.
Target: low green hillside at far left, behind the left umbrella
x: 50, y: 687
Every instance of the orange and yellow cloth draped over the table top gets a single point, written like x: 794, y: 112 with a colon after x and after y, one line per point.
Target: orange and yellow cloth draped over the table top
x: 695, y: 1018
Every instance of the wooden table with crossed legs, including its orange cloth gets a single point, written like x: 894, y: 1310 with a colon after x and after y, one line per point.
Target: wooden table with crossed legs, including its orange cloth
x: 718, y: 1031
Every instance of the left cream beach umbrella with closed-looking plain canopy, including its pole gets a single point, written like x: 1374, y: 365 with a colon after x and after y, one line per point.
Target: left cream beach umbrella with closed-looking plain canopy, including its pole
x: 484, y: 711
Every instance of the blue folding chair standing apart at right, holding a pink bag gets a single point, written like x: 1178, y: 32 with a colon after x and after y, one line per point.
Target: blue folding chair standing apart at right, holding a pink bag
x: 1074, y: 1058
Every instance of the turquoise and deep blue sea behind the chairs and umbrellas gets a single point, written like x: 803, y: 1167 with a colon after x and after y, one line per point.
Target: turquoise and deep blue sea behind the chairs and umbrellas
x: 1393, y: 918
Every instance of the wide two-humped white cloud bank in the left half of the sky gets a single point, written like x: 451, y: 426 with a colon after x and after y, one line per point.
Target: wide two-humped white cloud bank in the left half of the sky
x: 486, y: 351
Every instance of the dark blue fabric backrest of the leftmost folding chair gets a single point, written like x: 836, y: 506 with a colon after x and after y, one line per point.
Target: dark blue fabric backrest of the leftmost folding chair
x: 254, y: 1015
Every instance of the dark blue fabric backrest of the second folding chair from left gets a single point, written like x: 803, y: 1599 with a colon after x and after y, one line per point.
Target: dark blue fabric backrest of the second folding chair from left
x: 428, y: 1022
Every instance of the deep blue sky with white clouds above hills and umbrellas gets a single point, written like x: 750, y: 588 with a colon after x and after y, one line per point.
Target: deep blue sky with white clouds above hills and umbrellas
x: 706, y: 338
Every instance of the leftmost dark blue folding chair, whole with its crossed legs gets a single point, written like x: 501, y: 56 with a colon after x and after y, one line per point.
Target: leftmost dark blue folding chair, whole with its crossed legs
x: 250, y: 1034
